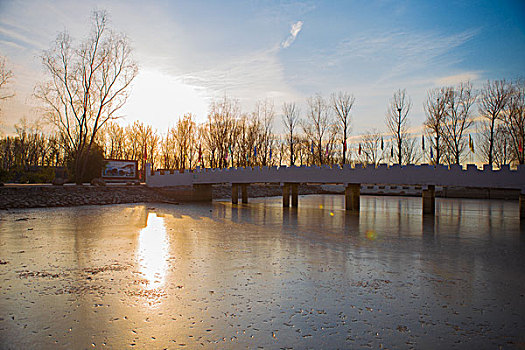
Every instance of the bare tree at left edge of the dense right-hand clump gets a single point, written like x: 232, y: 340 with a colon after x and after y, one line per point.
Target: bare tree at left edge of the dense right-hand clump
x: 435, y: 110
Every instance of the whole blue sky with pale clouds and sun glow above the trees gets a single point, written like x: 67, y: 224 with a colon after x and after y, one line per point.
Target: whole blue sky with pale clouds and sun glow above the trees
x: 192, y: 52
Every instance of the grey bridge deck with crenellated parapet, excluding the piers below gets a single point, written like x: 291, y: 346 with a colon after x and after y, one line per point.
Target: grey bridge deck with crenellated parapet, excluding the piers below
x: 423, y: 174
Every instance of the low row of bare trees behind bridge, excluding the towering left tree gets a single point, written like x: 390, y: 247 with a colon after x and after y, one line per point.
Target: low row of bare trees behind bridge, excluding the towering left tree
x: 233, y: 138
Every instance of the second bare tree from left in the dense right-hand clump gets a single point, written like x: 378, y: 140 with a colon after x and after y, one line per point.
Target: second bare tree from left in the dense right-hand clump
x: 459, y: 105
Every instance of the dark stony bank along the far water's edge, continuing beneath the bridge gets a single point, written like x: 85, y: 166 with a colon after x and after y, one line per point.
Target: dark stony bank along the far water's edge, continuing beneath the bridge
x: 41, y: 196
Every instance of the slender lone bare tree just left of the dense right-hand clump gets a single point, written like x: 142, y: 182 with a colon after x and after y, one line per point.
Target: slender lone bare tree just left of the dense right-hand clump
x: 396, y: 121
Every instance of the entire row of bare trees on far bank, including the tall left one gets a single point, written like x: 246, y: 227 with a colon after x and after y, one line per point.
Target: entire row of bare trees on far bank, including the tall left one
x: 88, y: 82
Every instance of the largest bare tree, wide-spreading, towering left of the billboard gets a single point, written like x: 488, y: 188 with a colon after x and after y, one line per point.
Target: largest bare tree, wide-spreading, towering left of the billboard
x: 88, y: 85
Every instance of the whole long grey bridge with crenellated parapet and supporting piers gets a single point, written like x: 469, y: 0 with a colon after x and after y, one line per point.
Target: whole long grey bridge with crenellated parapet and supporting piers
x: 424, y: 175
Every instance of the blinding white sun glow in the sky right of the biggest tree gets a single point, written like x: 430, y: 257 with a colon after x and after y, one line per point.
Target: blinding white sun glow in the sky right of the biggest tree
x: 159, y: 100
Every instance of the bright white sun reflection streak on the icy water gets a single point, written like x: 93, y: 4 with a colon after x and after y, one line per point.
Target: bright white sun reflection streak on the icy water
x: 153, y: 251
